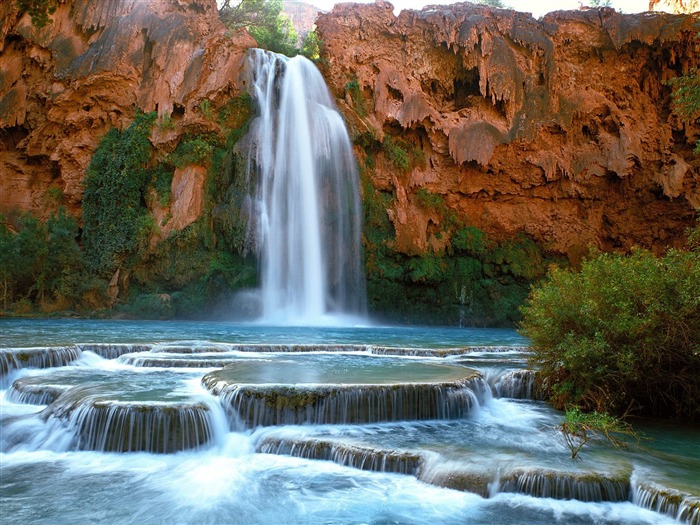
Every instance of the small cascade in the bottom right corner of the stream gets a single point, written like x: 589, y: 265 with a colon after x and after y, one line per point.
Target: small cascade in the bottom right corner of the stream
x: 680, y: 505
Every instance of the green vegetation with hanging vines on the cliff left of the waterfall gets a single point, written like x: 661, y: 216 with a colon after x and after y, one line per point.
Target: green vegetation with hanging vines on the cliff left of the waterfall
x: 54, y: 266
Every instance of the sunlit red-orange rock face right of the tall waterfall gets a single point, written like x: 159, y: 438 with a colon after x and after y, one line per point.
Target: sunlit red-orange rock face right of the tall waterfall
x: 560, y: 128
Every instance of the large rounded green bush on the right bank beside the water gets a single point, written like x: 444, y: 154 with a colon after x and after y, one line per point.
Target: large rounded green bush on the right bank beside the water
x: 622, y: 334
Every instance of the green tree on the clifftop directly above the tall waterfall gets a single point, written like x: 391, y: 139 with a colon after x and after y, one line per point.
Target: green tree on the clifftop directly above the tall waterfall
x: 265, y: 22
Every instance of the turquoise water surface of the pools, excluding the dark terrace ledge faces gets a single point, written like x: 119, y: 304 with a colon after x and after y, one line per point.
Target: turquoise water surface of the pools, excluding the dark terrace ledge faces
x: 44, y: 479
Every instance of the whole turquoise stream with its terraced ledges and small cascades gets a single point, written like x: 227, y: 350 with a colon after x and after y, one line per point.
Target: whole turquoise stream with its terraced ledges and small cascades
x: 349, y: 425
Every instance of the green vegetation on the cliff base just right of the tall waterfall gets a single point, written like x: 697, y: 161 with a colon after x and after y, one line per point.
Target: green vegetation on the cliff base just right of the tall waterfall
x: 476, y: 281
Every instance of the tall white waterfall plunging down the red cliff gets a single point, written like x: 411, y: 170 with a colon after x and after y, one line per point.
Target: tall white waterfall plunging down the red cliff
x: 305, y: 213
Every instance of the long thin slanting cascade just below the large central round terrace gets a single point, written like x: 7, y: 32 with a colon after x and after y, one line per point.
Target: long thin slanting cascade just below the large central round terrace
x: 363, y: 458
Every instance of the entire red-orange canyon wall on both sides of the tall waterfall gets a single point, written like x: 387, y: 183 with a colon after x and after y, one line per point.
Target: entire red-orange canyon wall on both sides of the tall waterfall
x: 561, y: 129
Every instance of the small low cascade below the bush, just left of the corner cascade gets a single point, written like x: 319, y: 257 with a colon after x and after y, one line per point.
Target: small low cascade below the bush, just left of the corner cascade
x: 565, y: 485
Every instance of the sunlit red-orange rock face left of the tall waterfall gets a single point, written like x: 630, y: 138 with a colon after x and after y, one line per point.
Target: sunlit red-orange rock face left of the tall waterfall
x: 62, y: 87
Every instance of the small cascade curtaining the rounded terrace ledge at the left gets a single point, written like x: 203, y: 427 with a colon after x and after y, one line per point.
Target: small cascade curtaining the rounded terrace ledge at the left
x: 101, y: 424
